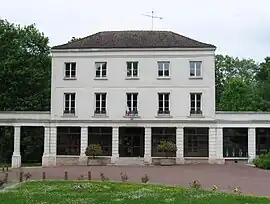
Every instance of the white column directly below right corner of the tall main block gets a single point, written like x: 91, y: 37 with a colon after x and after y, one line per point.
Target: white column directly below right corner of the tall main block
x: 212, y: 146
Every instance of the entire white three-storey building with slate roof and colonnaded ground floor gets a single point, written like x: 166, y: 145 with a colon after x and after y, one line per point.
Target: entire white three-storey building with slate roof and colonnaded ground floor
x: 129, y: 90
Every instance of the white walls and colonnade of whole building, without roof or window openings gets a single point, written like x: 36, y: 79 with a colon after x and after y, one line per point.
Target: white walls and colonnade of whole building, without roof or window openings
x: 147, y: 84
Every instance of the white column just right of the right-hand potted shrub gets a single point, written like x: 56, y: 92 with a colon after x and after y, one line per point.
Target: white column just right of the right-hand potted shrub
x: 180, y: 145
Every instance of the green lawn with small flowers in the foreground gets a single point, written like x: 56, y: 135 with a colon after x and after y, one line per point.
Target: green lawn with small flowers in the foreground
x: 64, y: 192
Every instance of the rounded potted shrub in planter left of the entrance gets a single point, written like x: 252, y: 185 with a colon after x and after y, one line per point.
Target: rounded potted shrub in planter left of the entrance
x: 93, y: 151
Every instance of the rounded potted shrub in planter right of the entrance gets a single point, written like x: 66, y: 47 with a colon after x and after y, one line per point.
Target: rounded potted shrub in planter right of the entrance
x: 167, y: 147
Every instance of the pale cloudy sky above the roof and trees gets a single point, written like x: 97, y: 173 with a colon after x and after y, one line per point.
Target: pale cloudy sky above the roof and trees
x: 237, y: 27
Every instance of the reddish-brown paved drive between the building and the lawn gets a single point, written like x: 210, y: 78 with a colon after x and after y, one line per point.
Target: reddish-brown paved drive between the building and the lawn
x: 250, y: 180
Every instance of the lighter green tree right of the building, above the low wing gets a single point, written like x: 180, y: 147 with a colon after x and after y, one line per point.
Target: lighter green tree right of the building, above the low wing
x: 230, y: 73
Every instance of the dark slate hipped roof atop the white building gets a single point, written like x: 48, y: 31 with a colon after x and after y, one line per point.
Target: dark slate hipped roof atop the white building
x: 134, y: 39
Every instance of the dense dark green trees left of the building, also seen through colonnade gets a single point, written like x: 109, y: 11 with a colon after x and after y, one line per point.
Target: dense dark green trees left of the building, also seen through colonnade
x: 25, y: 80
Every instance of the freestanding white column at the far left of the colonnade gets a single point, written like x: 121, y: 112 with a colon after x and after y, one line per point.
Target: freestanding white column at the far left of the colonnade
x: 16, y: 157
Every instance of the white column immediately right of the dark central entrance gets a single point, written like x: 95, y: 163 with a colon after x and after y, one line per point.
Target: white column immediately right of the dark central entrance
x: 147, y: 145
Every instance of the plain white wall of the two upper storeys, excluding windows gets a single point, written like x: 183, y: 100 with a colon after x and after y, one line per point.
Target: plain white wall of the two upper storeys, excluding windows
x: 179, y: 84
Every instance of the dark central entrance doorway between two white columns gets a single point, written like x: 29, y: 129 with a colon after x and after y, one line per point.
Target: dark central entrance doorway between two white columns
x: 131, y: 141
